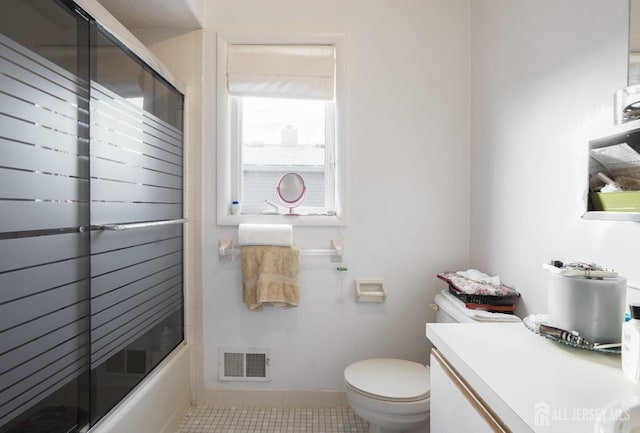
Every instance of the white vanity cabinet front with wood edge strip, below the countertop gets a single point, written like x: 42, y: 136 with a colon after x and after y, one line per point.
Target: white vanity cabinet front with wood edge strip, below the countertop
x: 455, y: 406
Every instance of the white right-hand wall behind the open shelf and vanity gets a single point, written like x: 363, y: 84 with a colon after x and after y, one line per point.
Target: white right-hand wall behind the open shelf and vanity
x: 543, y: 75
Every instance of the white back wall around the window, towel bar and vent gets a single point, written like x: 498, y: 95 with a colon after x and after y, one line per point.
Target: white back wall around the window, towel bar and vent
x: 408, y: 187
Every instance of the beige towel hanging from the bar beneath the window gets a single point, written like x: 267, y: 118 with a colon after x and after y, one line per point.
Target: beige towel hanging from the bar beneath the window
x: 270, y: 276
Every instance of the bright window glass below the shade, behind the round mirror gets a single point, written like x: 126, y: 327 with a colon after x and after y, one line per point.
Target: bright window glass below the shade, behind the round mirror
x: 279, y: 136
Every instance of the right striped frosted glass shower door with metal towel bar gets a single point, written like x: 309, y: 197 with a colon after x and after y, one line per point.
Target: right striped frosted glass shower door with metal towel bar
x: 136, y: 186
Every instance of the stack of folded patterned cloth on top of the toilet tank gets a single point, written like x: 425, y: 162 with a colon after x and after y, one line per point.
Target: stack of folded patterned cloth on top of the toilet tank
x: 481, y: 291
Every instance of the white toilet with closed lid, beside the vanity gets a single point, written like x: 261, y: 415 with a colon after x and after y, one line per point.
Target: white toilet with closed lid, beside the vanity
x: 392, y: 395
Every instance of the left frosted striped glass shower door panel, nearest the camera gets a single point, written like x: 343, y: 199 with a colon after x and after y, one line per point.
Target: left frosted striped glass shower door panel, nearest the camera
x: 44, y: 218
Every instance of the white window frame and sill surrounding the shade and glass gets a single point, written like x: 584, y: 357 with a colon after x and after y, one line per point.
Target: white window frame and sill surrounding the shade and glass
x: 229, y: 163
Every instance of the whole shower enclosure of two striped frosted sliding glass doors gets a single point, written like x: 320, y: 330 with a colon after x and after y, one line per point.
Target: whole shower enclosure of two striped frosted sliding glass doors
x: 91, y: 235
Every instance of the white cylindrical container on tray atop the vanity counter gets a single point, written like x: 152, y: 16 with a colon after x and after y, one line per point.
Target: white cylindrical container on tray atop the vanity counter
x: 592, y: 307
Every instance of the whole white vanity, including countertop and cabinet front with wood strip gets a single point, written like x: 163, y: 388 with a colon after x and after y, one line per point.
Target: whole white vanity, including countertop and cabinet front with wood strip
x: 506, y: 378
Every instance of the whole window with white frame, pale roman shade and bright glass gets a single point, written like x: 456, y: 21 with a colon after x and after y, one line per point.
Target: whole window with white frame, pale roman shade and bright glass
x: 278, y: 106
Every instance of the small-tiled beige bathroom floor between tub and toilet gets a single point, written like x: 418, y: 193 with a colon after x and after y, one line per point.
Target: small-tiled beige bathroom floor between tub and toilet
x: 281, y: 420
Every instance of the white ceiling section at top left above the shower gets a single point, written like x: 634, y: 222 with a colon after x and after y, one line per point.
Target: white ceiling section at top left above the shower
x: 142, y: 14
